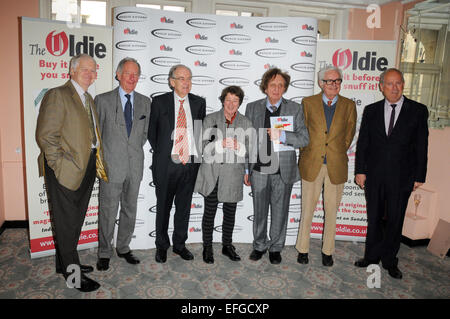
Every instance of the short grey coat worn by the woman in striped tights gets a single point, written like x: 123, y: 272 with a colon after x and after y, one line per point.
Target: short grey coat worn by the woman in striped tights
x: 227, y: 166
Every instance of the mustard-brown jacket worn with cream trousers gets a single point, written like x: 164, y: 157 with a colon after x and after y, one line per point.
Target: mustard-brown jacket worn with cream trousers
x: 333, y: 144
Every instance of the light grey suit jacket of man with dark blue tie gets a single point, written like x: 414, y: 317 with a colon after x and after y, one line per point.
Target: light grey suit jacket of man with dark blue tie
x: 123, y: 155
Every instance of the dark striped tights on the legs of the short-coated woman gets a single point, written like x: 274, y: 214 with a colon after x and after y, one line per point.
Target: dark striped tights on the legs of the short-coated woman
x: 209, y: 214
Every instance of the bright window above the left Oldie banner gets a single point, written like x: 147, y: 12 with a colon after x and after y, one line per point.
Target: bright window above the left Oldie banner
x: 79, y: 11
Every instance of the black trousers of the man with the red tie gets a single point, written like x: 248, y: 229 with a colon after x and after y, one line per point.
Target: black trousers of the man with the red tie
x: 176, y: 188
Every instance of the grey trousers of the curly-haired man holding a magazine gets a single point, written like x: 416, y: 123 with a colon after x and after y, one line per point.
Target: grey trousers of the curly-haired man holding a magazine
x: 270, y: 190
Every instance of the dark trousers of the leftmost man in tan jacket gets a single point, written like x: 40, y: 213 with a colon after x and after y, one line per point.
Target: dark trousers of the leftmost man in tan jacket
x: 67, y: 211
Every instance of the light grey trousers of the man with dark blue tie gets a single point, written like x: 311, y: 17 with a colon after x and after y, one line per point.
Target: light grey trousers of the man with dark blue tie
x: 110, y: 195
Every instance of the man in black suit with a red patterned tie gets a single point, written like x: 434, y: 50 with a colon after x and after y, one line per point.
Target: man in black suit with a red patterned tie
x: 175, y: 158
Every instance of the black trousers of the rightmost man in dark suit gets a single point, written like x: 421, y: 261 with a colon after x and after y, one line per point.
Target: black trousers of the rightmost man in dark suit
x: 386, y: 207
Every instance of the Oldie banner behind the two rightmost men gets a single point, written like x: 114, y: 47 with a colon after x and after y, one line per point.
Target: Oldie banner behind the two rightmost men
x: 362, y: 63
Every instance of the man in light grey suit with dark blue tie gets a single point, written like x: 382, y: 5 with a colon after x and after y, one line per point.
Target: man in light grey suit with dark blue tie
x: 124, y: 117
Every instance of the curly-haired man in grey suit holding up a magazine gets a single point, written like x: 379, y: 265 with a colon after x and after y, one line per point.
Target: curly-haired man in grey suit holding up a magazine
x: 274, y: 173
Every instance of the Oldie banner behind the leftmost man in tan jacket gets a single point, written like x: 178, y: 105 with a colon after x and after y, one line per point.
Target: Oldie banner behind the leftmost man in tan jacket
x: 47, y: 47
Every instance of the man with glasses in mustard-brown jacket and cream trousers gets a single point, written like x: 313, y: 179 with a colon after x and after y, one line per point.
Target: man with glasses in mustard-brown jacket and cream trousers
x: 331, y: 121
